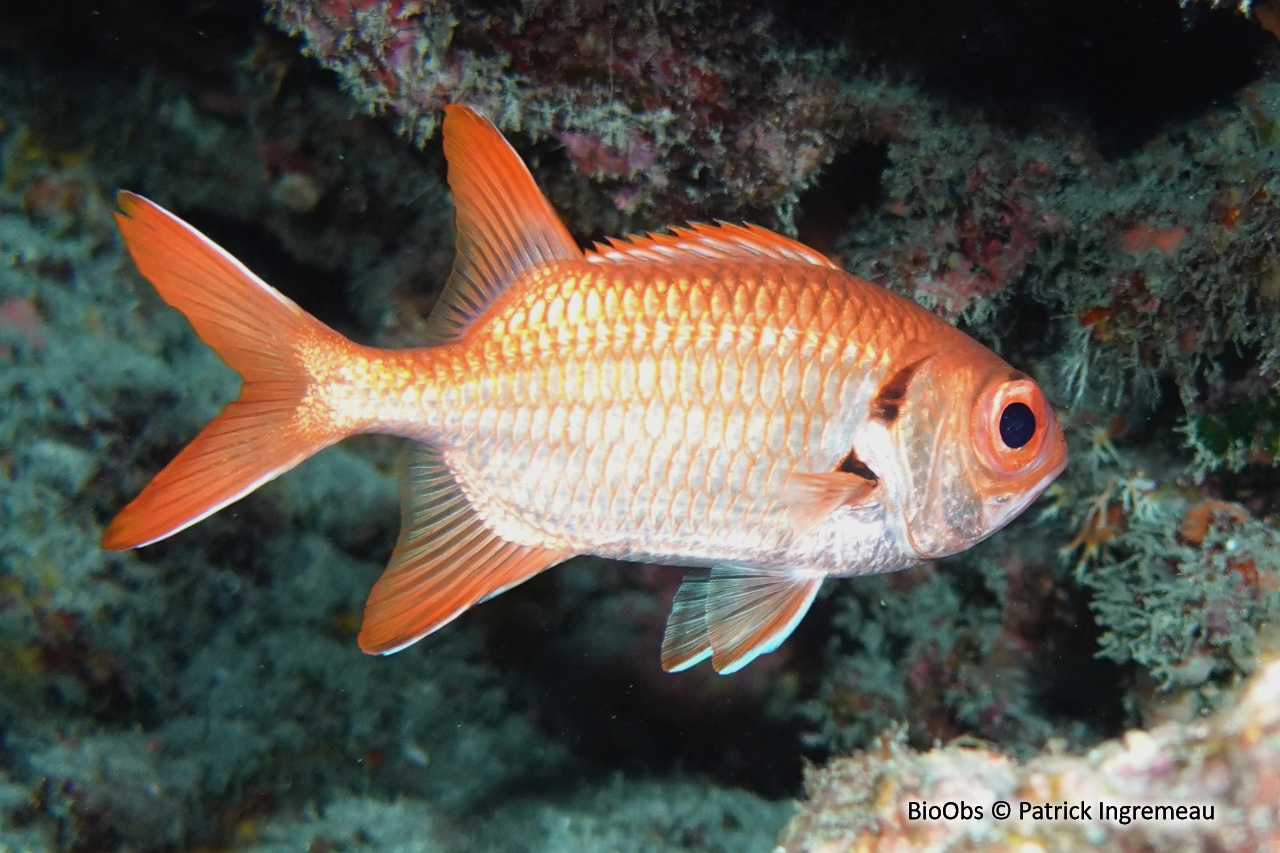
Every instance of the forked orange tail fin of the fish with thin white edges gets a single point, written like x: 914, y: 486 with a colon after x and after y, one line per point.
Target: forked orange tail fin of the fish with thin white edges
x: 260, y: 334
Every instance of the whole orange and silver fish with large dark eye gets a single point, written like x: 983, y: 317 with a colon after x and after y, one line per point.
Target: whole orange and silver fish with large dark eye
x: 716, y: 396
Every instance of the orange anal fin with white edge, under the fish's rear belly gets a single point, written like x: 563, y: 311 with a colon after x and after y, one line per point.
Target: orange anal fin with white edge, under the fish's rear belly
x: 445, y: 562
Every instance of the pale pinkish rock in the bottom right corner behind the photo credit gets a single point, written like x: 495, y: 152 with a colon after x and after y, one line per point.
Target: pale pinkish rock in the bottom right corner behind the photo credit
x: 1208, y: 786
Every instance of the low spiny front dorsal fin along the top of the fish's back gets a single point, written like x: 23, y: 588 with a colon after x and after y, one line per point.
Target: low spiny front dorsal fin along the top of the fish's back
x: 701, y: 241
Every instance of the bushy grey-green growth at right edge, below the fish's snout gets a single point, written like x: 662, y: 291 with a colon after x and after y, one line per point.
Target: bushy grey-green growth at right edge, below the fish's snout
x: 1187, y: 589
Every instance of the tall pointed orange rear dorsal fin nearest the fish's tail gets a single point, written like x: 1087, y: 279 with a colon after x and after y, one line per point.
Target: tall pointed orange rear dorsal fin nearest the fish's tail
x: 505, y: 223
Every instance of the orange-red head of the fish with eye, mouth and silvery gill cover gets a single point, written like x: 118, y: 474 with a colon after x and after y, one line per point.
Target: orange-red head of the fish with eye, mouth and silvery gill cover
x: 973, y: 445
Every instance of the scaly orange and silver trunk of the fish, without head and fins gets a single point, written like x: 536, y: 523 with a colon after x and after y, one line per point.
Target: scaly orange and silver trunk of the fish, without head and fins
x: 660, y: 414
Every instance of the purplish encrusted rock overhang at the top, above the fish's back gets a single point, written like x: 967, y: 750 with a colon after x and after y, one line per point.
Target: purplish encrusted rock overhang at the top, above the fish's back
x: 682, y: 107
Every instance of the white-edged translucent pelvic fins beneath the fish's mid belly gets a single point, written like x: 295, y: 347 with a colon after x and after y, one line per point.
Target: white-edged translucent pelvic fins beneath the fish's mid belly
x: 734, y: 617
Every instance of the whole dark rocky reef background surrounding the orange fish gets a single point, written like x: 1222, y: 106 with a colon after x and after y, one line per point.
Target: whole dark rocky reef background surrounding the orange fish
x: 1091, y: 189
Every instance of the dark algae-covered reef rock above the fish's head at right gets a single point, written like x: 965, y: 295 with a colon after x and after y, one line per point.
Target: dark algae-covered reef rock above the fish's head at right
x: 1162, y: 277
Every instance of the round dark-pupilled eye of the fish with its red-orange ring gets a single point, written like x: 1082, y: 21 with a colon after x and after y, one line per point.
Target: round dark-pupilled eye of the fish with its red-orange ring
x: 1011, y: 425
